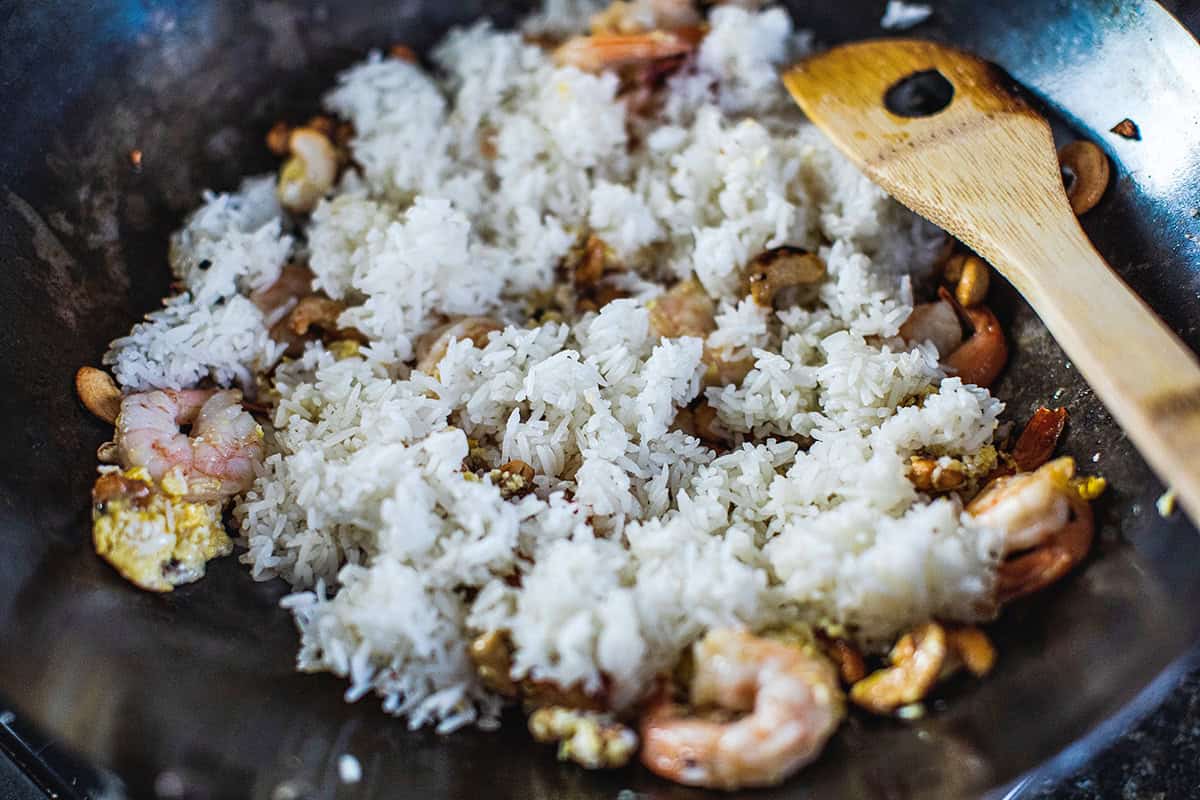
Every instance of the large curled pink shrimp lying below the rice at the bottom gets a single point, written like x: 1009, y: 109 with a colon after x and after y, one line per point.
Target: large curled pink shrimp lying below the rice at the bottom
x: 793, y: 697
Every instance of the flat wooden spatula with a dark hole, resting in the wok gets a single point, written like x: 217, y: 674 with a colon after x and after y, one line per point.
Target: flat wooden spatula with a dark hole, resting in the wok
x: 985, y: 169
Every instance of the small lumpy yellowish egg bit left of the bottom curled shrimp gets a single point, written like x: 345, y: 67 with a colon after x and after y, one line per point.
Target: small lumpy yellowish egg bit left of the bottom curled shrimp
x: 590, y: 739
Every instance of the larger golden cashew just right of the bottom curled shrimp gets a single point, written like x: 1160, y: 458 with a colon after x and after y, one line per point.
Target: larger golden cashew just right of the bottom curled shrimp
x: 917, y: 661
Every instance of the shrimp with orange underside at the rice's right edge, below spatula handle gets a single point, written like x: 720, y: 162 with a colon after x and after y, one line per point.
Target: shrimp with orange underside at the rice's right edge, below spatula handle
x: 1047, y: 527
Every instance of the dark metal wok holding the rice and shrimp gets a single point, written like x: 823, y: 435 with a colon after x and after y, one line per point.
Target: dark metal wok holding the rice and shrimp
x: 194, y: 694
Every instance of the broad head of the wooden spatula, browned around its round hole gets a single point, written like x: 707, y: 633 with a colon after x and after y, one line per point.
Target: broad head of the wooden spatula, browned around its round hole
x: 949, y: 166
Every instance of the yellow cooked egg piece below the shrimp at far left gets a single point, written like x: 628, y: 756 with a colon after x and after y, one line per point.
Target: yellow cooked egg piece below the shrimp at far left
x: 153, y: 538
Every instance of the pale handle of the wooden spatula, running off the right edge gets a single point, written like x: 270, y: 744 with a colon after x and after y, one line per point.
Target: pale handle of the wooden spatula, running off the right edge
x: 1147, y: 377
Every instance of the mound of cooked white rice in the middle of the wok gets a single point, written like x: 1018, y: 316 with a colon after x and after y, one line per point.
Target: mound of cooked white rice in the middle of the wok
x: 639, y: 538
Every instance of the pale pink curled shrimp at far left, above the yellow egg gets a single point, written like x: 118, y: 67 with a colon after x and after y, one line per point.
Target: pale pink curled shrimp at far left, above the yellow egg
x: 215, y: 462
